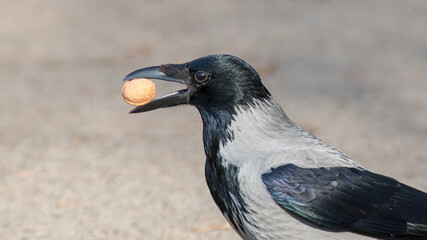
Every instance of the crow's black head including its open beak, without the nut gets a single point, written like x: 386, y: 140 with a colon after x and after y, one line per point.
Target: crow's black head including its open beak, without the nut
x: 213, y: 82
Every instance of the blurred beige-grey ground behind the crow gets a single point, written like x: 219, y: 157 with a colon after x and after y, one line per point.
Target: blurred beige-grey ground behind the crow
x: 75, y: 165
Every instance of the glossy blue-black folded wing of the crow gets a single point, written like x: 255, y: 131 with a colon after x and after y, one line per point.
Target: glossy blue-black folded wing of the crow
x: 349, y: 199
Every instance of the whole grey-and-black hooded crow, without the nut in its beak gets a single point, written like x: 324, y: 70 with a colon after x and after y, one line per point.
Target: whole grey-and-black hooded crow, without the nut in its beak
x: 270, y: 178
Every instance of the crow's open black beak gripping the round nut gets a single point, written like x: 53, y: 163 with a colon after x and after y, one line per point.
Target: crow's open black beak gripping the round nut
x: 169, y: 100
